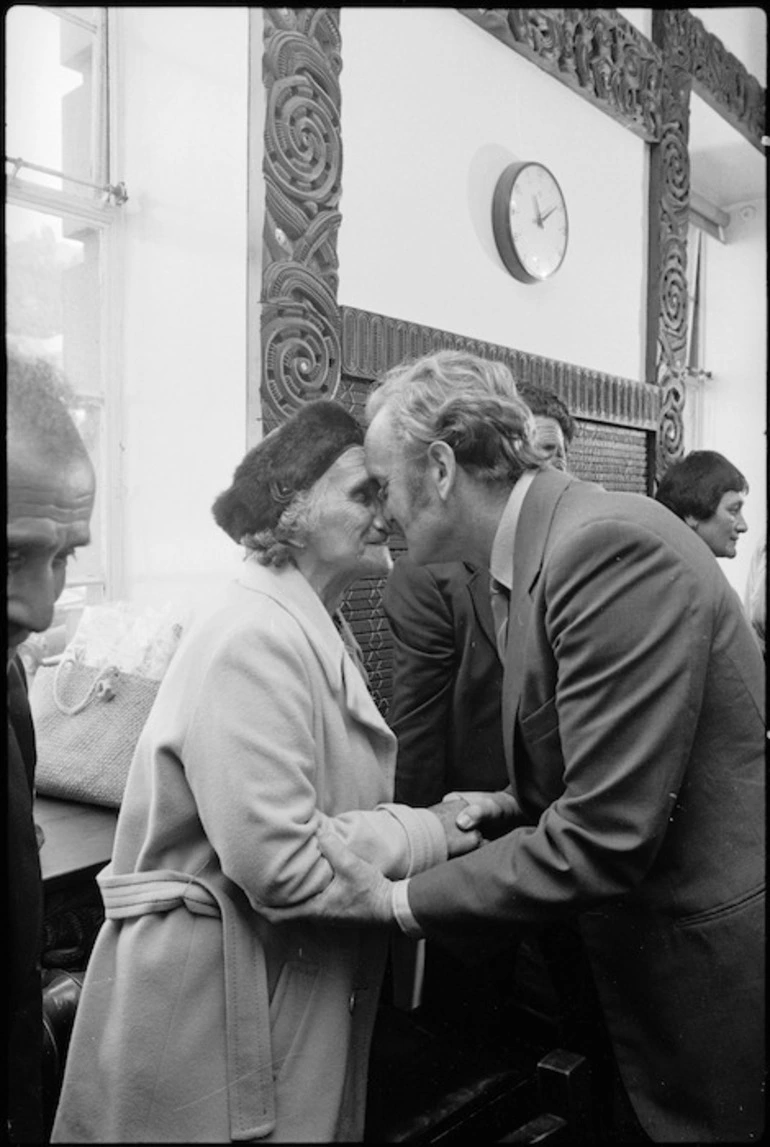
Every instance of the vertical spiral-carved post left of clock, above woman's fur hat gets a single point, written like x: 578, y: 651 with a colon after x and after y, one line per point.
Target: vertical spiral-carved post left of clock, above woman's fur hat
x: 302, y: 169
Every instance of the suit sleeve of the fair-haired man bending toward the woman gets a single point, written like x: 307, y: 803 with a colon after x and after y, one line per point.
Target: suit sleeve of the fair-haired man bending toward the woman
x: 626, y: 630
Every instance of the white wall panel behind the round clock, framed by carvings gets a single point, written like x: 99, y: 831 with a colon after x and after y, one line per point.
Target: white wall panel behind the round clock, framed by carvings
x: 433, y: 110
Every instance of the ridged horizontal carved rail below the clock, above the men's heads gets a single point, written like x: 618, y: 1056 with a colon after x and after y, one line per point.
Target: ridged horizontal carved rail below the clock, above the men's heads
x: 374, y: 344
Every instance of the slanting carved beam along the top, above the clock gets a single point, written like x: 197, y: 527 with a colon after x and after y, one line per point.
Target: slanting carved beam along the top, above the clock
x: 596, y: 52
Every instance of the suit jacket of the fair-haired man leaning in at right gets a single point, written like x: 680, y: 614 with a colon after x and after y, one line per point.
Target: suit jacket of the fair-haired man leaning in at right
x: 635, y: 734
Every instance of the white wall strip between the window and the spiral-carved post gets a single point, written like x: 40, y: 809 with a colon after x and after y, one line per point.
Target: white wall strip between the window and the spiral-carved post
x: 182, y: 95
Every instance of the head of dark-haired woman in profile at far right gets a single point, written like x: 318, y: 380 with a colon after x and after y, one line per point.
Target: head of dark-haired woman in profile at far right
x: 707, y: 493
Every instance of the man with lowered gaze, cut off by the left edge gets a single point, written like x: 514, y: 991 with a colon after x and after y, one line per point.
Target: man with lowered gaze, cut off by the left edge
x: 50, y: 501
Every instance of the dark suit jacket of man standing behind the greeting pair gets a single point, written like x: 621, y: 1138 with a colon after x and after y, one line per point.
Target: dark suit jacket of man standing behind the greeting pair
x: 446, y: 707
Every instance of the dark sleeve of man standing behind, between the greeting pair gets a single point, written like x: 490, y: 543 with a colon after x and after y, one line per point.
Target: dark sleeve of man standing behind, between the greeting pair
x: 425, y: 665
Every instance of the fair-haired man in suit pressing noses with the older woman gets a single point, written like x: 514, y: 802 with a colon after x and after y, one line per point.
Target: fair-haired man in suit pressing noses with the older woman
x: 634, y: 731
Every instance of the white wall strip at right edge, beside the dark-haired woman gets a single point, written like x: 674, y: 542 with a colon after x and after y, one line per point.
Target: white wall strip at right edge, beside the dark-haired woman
x: 734, y: 418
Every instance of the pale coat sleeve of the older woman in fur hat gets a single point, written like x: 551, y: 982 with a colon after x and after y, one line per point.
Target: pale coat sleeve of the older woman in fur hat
x: 251, y: 758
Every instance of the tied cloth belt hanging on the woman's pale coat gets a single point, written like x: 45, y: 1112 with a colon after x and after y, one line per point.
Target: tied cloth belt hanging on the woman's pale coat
x: 251, y: 1091
